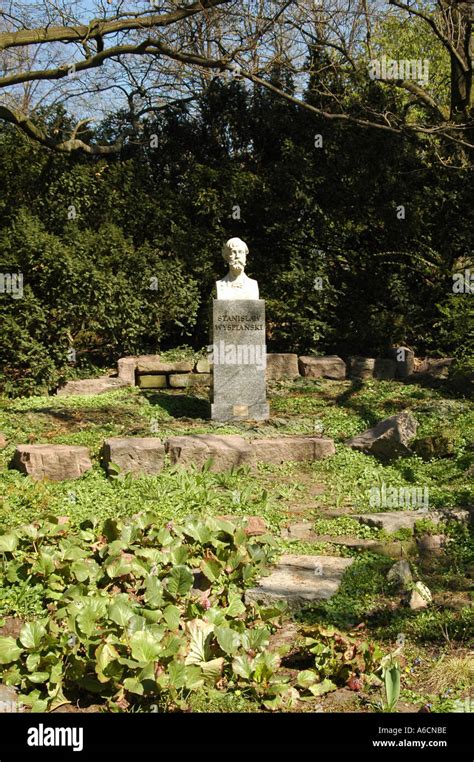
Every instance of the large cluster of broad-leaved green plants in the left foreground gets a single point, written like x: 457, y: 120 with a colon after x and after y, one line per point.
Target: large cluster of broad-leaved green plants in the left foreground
x: 139, y: 613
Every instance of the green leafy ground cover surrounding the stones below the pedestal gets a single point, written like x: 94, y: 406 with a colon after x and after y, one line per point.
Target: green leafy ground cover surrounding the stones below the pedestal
x: 70, y: 558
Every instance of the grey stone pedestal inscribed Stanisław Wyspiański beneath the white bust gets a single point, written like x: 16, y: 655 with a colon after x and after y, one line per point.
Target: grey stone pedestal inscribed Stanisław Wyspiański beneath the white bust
x: 238, y: 354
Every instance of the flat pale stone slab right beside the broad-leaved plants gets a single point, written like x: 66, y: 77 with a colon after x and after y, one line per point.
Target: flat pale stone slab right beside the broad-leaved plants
x: 298, y: 580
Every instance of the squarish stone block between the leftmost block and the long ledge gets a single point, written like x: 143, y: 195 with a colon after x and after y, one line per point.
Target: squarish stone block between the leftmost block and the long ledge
x: 135, y: 455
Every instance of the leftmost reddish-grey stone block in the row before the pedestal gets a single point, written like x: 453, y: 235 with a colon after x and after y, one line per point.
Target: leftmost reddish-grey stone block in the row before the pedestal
x: 54, y: 462
